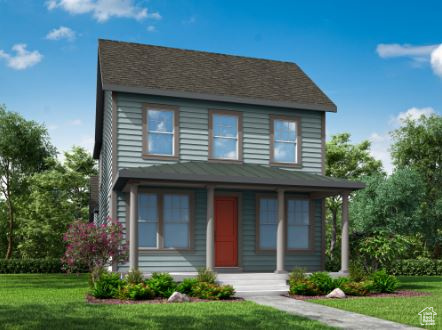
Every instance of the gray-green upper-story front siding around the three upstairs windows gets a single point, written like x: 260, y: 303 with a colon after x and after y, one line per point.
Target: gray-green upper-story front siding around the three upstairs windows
x: 193, y: 137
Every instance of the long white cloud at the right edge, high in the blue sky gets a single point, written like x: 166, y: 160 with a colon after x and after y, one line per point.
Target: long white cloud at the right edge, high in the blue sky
x: 419, y: 54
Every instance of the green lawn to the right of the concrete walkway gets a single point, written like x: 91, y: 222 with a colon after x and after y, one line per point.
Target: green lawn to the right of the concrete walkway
x: 402, y: 310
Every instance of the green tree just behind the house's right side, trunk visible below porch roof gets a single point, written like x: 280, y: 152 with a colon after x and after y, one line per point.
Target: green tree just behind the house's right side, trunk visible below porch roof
x: 348, y: 161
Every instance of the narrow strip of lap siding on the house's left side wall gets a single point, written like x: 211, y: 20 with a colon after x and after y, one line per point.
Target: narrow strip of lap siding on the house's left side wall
x: 106, y: 160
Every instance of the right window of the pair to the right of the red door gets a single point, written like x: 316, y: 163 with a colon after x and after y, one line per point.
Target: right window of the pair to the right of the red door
x: 298, y: 224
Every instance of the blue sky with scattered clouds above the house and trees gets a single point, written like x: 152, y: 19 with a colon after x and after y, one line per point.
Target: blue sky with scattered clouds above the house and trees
x: 378, y: 61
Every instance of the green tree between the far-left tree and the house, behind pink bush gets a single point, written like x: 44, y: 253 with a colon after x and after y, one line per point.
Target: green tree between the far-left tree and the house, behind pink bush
x: 57, y: 197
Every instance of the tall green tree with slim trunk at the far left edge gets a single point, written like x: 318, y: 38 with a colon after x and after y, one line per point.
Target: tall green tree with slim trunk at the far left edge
x: 24, y: 146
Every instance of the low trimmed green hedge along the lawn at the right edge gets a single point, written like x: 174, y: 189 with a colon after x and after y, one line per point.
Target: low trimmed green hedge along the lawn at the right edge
x: 416, y: 267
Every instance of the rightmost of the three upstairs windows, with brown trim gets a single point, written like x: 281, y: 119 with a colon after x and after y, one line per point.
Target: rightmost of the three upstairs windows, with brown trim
x: 285, y: 141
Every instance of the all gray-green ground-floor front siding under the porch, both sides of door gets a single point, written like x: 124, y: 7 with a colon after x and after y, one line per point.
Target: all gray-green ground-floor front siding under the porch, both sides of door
x: 250, y: 260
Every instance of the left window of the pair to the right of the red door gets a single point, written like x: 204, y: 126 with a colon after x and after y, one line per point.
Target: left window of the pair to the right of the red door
x: 268, y: 219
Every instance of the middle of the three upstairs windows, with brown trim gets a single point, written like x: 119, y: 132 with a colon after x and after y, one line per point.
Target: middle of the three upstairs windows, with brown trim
x: 225, y: 135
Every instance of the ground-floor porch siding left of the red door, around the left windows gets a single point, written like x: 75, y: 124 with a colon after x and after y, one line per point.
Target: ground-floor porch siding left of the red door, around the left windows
x: 174, y: 261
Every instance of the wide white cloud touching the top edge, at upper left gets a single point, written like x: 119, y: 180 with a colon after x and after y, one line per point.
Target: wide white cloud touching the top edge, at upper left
x: 102, y: 10
